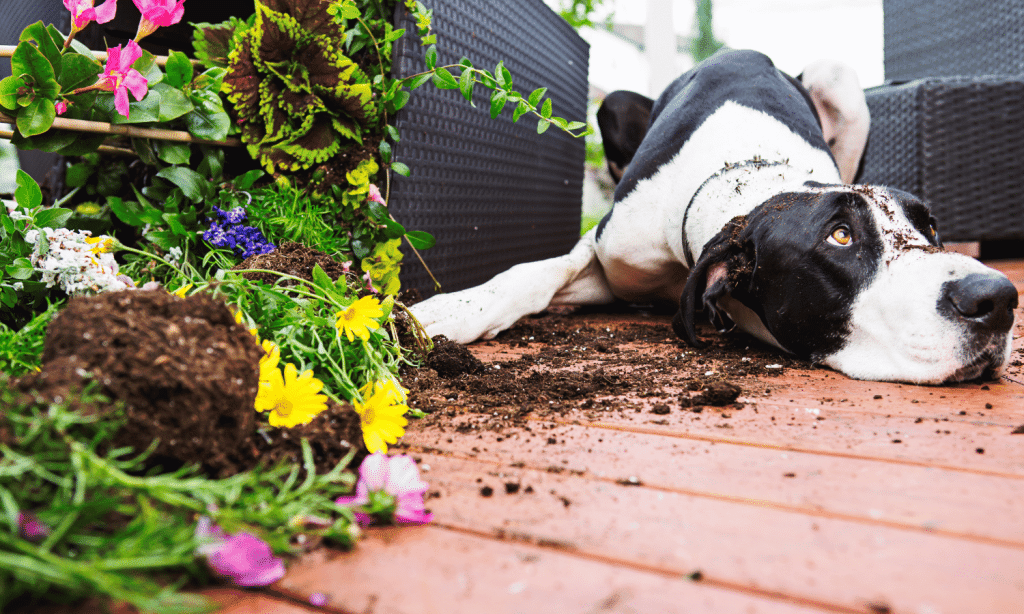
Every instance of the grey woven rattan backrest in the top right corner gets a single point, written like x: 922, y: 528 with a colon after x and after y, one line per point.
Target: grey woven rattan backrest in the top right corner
x: 949, y: 38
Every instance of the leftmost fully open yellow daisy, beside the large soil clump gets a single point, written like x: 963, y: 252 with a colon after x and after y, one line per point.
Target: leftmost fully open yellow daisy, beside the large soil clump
x: 292, y: 400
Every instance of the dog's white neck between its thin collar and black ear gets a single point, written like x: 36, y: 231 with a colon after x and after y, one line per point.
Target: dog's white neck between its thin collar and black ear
x: 736, y: 190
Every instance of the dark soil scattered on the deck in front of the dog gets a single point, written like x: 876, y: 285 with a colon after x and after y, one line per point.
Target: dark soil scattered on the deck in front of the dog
x: 554, y: 365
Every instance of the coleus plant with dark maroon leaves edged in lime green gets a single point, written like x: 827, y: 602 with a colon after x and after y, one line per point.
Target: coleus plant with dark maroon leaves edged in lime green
x: 300, y: 100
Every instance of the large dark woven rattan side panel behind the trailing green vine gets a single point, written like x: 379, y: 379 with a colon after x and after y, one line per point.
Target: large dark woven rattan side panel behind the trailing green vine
x: 493, y: 193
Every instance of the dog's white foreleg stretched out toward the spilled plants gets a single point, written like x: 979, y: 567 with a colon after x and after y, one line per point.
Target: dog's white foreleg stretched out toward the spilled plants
x: 486, y: 311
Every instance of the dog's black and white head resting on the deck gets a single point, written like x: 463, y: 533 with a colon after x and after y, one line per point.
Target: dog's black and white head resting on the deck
x: 855, y: 278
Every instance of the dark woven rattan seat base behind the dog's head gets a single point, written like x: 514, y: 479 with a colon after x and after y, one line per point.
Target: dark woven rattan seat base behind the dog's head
x: 959, y: 144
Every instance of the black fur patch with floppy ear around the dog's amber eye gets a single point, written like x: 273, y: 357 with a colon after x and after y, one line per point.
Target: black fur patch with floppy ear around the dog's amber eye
x: 782, y: 267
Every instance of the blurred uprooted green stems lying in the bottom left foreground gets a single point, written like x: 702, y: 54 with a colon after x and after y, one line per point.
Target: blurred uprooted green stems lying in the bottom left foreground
x: 60, y: 466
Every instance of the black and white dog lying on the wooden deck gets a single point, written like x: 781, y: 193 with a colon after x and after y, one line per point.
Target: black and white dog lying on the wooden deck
x: 733, y: 198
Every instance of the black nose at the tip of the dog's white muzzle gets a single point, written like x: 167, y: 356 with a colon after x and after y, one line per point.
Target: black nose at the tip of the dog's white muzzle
x: 988, y: 300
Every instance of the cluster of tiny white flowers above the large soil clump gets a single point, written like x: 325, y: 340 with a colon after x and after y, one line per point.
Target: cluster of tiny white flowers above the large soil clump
x: 78, y: 264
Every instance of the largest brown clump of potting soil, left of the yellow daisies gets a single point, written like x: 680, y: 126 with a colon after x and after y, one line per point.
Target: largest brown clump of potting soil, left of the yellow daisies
x: 187, y: 373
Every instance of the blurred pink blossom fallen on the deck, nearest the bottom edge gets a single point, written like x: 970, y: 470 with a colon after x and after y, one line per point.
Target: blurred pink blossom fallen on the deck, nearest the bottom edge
x: 244, y: 558
